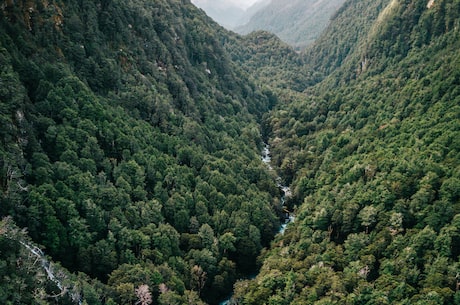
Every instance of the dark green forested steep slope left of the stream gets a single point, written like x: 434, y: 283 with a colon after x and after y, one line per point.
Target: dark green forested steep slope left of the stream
x: 130, y: 152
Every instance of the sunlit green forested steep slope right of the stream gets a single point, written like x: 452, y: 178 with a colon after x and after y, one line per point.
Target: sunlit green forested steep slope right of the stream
x: 374, y: 159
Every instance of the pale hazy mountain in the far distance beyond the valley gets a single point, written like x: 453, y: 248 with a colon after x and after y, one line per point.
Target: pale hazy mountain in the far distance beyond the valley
x: 297, y: 22
